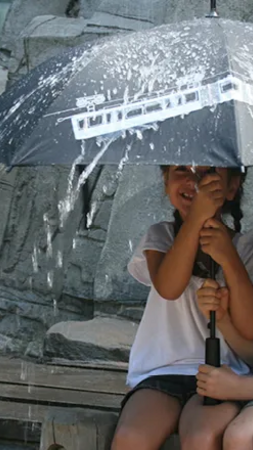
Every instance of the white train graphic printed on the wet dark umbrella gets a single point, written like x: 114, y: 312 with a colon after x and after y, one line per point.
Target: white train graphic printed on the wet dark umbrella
x: 102, y: 117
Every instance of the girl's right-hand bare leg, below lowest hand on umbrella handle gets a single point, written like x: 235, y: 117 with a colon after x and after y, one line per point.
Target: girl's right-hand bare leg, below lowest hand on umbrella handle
x: 203, y: 426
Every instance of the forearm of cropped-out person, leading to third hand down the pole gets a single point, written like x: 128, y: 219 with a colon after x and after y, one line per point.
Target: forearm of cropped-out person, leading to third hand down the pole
x: 242, y: 347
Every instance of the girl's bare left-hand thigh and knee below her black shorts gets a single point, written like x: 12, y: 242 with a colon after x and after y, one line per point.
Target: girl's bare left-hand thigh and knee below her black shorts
x: 147, y: 419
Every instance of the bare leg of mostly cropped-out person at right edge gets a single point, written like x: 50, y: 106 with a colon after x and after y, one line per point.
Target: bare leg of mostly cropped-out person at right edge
x: 239, y: 433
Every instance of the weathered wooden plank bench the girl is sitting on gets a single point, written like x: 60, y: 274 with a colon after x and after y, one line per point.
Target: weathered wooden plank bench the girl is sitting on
x: 55, y: 406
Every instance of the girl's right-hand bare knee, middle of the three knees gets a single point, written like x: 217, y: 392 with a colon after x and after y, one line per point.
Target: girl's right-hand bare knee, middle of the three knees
x: 198, y: 439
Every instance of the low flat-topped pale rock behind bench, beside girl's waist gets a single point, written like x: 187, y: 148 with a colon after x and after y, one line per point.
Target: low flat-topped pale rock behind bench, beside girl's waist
x: 103, y: 338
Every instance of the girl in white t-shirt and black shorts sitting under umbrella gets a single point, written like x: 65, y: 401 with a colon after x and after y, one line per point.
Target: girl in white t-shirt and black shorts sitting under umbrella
x: 173, y: 259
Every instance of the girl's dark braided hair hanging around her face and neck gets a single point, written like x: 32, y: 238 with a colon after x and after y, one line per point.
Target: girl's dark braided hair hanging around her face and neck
x: 232, y: 207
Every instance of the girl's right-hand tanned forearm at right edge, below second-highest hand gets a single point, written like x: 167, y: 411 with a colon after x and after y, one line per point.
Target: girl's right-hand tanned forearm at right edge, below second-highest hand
x: 241, y: 295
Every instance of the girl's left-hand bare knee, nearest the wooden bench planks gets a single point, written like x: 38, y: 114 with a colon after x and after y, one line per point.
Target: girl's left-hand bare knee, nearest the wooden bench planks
x: 129, y: 439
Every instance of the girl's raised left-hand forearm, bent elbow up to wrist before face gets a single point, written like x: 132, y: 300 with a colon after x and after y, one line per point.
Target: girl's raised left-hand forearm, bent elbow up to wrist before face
x: 175, y: 271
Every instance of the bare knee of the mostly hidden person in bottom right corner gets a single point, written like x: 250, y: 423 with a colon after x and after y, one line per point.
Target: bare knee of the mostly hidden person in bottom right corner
x: 237, y: 438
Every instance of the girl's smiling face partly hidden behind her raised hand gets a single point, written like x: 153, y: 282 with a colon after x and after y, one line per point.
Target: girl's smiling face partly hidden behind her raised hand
x: 181, y: 185
